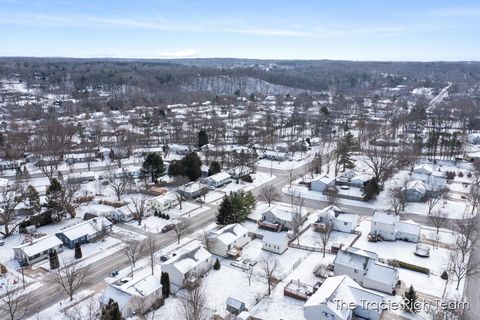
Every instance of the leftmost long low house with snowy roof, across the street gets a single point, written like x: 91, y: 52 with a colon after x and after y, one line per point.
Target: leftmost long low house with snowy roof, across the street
x: 37, y: 250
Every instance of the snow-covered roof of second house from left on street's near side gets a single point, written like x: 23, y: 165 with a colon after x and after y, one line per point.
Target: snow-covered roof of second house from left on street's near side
x: 188, y: 257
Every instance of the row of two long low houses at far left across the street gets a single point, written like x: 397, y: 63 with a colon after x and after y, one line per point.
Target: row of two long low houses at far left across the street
x: 84, y: 232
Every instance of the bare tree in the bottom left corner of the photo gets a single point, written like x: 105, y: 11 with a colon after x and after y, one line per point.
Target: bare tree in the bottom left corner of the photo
x: 15, y: 301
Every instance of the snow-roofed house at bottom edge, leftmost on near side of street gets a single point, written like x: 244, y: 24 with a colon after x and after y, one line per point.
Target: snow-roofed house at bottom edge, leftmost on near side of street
x: 130, y: 293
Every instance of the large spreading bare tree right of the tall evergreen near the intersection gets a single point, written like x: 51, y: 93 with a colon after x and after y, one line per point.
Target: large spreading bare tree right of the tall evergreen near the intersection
x: 380, y: 160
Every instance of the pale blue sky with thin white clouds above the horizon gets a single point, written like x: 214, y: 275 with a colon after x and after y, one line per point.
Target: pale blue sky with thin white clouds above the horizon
x: 402, y: 30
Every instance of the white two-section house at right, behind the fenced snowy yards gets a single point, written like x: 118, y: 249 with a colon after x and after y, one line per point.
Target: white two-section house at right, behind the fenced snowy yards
x: 389, y: 227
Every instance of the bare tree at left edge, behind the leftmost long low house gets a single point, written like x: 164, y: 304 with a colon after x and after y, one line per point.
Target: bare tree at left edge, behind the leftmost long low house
x: 11, y: 197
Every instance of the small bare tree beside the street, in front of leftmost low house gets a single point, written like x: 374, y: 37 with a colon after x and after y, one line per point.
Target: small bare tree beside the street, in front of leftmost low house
x: 70, y: 278
